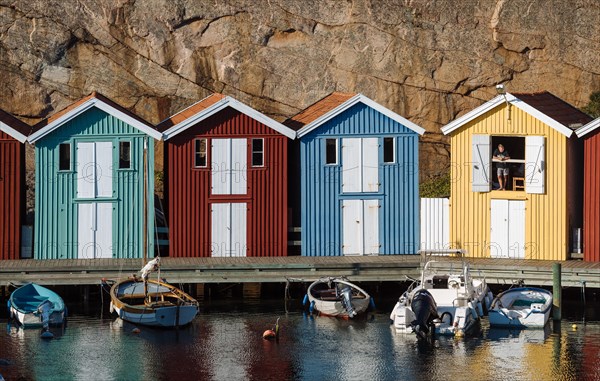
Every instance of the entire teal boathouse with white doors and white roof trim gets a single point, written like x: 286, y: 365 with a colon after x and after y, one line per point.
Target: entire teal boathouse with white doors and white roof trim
x: 89, y: 200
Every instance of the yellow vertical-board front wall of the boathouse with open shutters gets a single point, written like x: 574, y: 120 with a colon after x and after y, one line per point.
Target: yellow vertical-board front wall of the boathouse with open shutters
x: 546, y: 225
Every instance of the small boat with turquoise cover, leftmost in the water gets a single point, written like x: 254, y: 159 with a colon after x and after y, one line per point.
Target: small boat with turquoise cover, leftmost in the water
x: 35, y: 306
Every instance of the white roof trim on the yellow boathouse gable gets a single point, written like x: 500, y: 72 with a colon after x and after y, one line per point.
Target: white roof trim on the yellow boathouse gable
x: 459, y: 122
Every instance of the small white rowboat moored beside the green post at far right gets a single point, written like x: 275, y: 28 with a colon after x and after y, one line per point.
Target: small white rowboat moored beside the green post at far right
x: 526, y: 307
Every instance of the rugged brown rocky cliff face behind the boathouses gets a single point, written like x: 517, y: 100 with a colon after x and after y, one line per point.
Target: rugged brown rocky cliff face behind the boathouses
x: 429, y: 61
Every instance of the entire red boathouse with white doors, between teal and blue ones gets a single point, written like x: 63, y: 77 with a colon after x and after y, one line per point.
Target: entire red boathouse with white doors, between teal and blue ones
x: 226, y: 181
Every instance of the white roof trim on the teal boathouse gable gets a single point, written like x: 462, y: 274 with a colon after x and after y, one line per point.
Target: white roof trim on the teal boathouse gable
x: 94, y: 102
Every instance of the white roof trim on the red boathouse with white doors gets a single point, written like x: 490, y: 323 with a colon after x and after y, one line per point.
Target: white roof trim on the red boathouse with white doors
x: 220, y: 105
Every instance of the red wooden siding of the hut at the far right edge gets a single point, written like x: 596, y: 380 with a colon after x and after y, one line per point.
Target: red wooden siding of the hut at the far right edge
x: 591, y: 211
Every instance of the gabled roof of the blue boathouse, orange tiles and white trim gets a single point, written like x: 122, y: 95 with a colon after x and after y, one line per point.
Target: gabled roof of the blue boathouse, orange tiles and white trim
x: 336, y: 103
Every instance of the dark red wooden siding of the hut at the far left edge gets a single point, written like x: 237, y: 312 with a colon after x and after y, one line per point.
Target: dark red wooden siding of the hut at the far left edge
x: 12, y: 195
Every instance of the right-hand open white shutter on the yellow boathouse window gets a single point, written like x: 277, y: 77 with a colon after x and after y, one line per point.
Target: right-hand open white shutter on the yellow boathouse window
x: 535, y: 164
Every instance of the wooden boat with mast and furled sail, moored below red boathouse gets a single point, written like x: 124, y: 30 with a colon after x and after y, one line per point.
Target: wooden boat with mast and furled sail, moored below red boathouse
x: 152, y: 302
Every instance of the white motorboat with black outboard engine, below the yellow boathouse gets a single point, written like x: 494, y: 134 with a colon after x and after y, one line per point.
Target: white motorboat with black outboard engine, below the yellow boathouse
x: 446, y: 304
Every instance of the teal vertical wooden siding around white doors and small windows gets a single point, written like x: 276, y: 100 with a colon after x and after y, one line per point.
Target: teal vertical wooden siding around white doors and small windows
x: 56, y: 207
